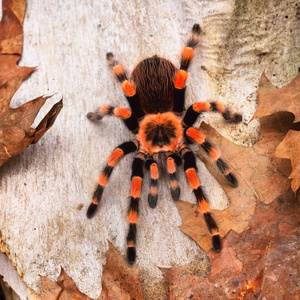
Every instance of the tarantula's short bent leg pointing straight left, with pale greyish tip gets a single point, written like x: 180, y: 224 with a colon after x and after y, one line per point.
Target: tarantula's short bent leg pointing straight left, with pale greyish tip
x: 125, y: 114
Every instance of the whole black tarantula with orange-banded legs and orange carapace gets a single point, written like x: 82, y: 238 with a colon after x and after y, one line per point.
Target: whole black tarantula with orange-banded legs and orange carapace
x: 156, y: 95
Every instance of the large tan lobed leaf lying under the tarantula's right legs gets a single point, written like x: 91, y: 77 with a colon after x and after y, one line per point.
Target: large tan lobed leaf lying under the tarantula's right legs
x: 260, y: 177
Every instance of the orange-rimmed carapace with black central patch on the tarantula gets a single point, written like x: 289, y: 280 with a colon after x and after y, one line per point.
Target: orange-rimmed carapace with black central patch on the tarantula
x: 160, y: 132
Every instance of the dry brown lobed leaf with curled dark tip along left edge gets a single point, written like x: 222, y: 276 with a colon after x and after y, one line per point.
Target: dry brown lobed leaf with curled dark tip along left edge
x: 16, y: 133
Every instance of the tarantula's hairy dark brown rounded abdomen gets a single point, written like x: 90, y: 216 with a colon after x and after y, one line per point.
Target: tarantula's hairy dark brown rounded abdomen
x: 153, y: 78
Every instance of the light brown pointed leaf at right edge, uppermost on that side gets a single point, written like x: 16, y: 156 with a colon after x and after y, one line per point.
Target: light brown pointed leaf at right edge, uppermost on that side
x: 272, y: 100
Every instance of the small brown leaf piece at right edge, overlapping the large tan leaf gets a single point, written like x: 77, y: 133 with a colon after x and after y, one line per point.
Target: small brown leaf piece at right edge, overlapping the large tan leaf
x: 290, y: 148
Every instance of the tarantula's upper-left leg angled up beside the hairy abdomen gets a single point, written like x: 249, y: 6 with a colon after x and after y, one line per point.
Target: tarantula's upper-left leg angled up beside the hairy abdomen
x: 128, y: 88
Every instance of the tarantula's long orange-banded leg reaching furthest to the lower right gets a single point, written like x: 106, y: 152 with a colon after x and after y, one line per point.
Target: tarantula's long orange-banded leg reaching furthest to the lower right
x: 190, y: 169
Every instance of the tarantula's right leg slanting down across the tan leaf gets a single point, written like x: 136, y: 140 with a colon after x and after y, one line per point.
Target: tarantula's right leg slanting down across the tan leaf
x: 200, y: 139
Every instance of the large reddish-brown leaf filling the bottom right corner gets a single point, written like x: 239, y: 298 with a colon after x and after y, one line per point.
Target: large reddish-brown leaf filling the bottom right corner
x: 263, y: 261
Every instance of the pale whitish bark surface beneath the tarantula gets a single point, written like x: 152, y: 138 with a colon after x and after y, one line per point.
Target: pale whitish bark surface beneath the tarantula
x: 46, y: 190
